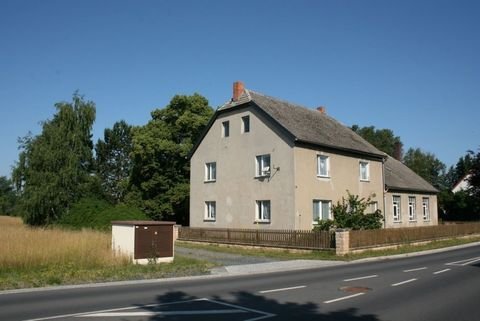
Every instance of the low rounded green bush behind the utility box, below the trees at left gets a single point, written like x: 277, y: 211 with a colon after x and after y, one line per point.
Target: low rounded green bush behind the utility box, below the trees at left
x: 98, y: 214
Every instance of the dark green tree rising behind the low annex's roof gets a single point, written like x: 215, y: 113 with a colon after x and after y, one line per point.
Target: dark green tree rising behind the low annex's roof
x: 427, y: 165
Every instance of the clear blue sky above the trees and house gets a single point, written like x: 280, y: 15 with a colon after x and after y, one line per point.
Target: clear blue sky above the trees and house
x: 410, y: 66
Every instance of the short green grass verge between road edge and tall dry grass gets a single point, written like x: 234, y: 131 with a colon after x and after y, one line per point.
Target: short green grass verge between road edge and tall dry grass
x: 69, y: 274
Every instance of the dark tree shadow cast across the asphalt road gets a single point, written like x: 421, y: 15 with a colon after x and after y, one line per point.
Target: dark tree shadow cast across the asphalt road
x: 248, y: 306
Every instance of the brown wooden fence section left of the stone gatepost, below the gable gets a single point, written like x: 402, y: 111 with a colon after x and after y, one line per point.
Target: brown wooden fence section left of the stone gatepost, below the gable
x: 318, y: 240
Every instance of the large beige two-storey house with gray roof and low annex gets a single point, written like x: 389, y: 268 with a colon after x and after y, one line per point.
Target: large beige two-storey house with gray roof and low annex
x: 270, y: 164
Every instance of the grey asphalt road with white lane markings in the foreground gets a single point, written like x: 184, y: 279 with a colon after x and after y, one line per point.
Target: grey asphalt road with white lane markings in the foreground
x: 441, y: 286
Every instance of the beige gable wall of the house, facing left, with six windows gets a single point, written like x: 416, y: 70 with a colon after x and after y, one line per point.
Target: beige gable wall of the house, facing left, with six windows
x: 236, y: 189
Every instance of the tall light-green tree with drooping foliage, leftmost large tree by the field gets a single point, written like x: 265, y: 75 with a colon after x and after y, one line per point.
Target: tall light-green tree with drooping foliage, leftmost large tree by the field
x: 54, y: 167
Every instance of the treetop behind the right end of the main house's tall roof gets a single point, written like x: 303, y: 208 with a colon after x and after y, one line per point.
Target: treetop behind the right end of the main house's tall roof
x: 383, y: 139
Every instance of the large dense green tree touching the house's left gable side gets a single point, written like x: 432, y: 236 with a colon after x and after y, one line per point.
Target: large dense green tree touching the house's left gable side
x: 159, y: 183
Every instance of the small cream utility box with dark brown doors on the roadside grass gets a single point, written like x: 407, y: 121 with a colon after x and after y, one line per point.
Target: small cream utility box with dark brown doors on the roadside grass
x: 144, y: 241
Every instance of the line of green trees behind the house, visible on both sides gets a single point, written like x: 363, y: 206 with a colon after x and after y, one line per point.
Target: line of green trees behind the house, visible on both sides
x: 139, y: 172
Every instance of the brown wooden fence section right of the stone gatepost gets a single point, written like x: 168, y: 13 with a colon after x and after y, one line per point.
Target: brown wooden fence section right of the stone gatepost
x: 384, y: 237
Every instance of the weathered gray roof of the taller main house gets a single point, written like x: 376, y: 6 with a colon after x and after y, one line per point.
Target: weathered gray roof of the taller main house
x: 308, y: 125
